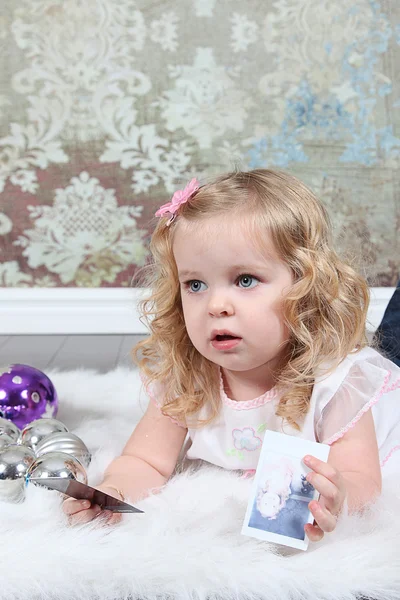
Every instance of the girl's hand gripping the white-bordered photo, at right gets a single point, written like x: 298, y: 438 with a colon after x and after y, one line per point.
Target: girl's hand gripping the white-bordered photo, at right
x: 330, y: 484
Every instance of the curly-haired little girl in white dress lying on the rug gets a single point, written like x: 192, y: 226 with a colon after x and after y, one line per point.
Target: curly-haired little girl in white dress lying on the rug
x: 255, y: 323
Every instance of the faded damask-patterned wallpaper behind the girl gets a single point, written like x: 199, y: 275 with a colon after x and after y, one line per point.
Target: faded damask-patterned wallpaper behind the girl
x: 107, y: 106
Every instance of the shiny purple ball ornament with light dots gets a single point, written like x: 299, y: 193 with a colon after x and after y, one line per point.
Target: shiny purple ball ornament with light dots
x: 26, y: 394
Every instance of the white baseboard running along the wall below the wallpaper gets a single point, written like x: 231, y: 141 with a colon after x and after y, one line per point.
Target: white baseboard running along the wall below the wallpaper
x: 69, y: 311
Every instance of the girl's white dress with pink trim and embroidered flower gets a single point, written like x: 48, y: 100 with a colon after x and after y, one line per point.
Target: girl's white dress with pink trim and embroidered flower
x: 363, y: 381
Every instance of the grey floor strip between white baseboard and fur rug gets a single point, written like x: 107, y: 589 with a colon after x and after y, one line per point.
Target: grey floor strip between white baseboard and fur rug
x: 67, y: 352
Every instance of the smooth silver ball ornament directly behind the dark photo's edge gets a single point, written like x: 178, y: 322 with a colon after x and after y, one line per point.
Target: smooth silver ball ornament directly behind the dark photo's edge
x: 56, y: 464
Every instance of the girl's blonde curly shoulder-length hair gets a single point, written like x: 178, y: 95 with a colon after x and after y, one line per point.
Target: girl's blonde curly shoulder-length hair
x: 325, y: 309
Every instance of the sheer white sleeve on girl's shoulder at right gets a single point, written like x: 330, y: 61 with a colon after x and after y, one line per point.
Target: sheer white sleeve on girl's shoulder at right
x: 364, y: 384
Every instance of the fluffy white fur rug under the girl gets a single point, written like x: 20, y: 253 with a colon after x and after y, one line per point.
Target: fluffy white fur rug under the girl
x: 188, y: 544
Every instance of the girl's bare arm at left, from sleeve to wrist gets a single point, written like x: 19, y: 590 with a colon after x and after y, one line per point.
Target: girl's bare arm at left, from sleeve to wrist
x: 149, y: 457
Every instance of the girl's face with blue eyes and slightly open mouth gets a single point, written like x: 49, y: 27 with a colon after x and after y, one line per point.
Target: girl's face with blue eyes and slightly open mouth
x: 228, y: 286
